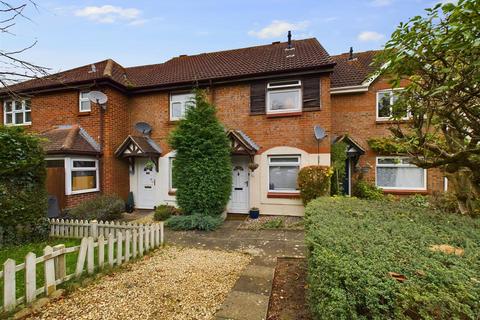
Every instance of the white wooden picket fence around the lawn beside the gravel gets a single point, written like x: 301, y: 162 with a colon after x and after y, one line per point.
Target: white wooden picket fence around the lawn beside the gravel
x: 122, y: 244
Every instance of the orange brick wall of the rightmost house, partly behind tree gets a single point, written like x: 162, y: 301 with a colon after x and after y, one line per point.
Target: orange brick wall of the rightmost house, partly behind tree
x: 355, y: 114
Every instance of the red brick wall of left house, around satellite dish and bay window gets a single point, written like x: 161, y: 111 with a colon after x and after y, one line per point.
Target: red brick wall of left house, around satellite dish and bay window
x: 61, y: 108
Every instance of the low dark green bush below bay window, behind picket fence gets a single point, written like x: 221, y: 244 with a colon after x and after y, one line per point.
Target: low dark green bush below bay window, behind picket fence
x: 103, y: 207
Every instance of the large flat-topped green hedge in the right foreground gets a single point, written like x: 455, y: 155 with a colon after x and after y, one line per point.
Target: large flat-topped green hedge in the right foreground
x: 354, y: 244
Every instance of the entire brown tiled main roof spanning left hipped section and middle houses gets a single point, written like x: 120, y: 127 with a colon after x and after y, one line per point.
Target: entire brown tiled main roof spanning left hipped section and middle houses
x: 266, y: 59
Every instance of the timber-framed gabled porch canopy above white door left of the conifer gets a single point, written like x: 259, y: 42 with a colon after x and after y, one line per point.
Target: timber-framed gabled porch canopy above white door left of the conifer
x: 135, y: 146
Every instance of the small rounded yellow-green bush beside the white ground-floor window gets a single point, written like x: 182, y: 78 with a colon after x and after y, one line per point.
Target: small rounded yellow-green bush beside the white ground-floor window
x: 314, y: 182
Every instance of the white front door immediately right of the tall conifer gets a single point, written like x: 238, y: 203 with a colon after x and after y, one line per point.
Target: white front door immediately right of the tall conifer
x: 239, y: 199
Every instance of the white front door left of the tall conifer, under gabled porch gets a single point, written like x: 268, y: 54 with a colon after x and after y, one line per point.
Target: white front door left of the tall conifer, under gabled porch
x: 146, y: 184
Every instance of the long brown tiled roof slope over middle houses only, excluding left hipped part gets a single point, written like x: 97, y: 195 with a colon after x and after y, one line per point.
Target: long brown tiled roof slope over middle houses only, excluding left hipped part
x: 265, y: 59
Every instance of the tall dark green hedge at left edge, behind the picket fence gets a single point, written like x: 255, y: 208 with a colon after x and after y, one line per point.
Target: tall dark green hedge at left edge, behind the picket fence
x: 23, y: 197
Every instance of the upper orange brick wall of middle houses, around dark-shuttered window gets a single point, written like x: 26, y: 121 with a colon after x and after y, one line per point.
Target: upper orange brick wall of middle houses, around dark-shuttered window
x: 233, y: 105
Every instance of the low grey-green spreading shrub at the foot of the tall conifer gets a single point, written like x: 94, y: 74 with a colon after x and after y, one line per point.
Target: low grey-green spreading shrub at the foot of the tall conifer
x: 194, y: 222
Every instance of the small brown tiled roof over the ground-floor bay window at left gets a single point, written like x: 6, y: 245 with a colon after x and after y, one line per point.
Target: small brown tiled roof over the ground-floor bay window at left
x: 69, y: 140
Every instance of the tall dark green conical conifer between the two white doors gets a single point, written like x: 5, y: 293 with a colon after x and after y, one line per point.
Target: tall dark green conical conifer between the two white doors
x: 202, y: 168
